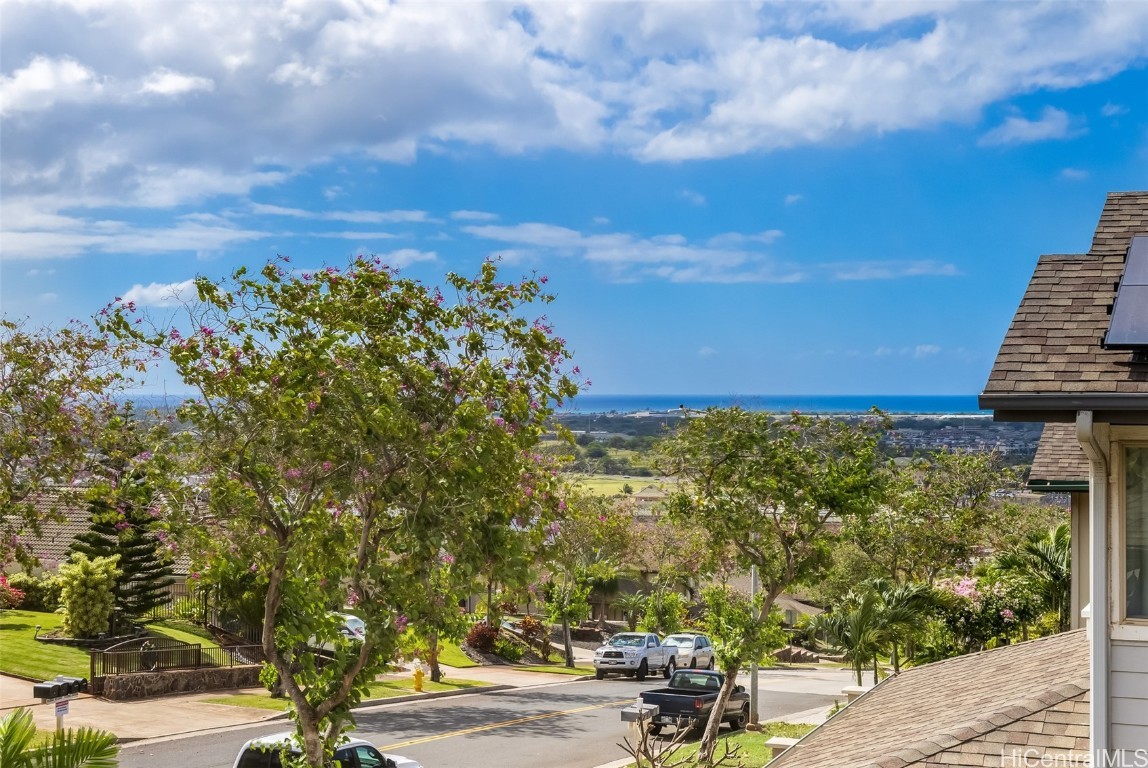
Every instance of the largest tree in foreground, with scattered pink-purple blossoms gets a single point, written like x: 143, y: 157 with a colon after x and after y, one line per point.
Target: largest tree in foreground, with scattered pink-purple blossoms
x: 352, y: 428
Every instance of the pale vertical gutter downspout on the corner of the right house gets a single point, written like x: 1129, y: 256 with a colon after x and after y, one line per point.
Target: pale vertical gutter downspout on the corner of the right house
x: 1099, y: 623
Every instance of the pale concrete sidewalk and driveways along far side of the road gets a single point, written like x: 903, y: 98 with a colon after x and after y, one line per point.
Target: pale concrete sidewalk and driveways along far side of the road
x: 172, y: 716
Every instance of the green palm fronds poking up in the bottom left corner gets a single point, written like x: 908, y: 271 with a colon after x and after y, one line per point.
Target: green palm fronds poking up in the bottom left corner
x: 86, y: 748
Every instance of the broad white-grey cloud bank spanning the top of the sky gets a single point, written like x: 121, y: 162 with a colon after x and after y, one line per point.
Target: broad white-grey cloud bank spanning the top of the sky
x: 280, y: 88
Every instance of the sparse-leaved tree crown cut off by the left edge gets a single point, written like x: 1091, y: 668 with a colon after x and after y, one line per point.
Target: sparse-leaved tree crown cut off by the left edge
x: 56, y: 391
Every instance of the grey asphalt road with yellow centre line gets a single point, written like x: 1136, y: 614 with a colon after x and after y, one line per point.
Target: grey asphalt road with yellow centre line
x: 564, y: 726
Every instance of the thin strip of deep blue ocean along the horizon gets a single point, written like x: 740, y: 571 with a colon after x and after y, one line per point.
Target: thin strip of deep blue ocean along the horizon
x: 777, y: 404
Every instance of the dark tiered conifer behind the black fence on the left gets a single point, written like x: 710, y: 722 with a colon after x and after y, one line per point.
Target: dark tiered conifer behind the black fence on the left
x: 125, y: 501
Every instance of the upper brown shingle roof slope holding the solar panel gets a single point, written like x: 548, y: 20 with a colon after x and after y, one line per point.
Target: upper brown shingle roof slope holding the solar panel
x: 1053, y: 346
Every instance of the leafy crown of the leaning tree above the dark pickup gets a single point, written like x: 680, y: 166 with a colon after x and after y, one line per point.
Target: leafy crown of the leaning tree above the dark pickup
x: 766, y: 488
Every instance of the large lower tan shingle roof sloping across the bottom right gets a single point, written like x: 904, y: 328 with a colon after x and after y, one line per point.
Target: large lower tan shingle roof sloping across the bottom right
x: 953, y: 711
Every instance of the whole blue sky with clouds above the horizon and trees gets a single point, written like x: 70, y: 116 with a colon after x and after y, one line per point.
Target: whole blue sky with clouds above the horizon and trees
x: 727, y: 198
